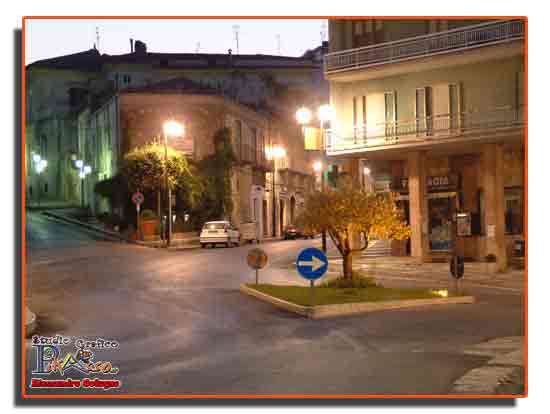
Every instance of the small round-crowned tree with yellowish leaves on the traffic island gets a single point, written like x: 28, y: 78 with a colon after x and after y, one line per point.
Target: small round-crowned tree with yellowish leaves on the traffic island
x: 352, y: 217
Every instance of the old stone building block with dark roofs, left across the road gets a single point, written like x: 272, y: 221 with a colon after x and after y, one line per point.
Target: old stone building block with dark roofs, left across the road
x: 109, y: 104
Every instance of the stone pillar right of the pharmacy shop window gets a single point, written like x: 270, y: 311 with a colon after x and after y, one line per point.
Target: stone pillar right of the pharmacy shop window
x: 493, y: 194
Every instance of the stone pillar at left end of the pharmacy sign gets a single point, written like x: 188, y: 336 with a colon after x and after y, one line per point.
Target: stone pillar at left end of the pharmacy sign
x: 418, y: 205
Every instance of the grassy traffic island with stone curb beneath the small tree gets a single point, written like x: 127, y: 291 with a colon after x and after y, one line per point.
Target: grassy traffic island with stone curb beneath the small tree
x: 329, y: 302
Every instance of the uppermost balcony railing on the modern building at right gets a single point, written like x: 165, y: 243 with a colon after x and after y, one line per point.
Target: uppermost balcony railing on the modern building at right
x: 426, y: 45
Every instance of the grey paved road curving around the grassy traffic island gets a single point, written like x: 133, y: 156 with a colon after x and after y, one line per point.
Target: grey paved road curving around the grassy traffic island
x: 185, y: 329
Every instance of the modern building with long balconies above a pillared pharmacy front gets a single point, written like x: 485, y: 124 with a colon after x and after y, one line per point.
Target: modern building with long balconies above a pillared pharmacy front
x: 435, y: 110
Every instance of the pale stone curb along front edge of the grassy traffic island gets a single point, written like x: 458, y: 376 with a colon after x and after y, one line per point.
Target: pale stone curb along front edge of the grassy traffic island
x: 329, y: 311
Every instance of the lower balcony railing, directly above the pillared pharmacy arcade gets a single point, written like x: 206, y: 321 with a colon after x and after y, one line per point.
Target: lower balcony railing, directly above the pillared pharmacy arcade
x: 427, y: 129
